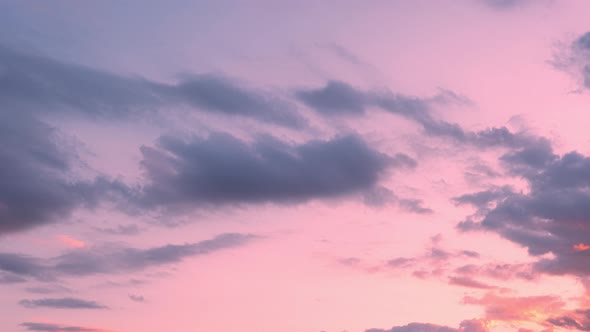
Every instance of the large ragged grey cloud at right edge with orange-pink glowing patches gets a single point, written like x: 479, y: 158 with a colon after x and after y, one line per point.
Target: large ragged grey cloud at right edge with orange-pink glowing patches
x: 552, y: 217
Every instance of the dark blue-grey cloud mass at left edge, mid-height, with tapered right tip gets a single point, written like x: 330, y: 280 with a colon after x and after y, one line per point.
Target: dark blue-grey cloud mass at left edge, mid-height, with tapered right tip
x: 35, y: 186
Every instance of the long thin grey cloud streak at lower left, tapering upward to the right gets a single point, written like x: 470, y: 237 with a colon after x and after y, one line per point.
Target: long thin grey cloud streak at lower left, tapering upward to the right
x: 114, y: 259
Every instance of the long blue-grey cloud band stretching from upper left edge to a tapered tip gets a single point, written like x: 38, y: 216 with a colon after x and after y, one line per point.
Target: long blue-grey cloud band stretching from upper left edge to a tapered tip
x: 39, y: 84
